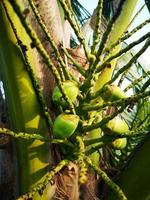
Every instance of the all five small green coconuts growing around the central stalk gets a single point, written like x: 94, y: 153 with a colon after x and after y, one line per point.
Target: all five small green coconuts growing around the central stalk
x: 65, y: 124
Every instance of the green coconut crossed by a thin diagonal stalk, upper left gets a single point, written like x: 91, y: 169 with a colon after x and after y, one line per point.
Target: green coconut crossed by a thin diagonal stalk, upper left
x: 71, y: 89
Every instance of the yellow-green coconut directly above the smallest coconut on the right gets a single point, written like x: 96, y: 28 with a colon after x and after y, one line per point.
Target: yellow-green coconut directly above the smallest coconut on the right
x: 116, y: 126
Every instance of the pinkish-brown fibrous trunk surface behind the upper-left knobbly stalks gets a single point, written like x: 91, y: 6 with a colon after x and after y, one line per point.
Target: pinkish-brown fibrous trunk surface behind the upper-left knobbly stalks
x: 59, y: 30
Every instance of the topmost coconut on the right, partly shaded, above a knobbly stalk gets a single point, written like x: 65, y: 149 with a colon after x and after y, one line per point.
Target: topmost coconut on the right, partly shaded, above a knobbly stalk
x: 112, y: 93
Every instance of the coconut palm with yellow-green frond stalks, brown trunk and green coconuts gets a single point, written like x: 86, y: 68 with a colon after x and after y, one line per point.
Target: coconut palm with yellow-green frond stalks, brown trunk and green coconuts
x: 76, y: 132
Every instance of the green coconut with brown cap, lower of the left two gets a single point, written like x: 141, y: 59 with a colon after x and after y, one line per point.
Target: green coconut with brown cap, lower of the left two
x: 65, y: 125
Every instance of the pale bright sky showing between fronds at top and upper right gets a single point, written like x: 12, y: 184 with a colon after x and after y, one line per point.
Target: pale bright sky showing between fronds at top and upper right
x: 90, y: 5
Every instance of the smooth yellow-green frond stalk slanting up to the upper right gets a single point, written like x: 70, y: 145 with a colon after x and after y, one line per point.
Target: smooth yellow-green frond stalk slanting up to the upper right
x: 120, y: 26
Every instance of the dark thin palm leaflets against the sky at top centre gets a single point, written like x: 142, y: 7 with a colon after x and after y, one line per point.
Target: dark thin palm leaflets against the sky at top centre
x: 81, y: 13
